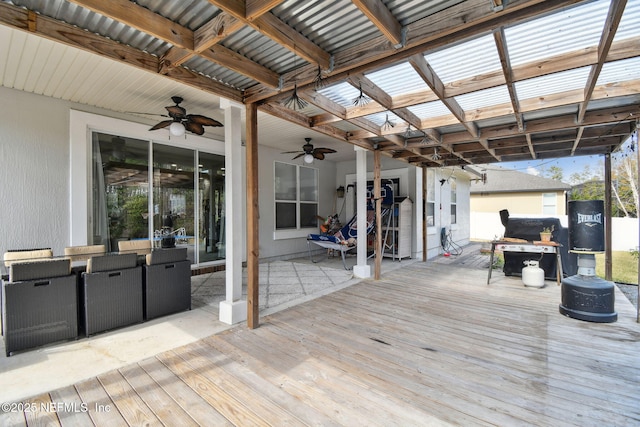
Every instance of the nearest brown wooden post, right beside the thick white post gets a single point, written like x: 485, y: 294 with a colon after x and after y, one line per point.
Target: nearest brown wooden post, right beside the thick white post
x: 253, y: 255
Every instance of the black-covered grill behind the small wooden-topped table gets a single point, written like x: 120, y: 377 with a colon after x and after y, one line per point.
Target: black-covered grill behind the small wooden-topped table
x: 529, y: 229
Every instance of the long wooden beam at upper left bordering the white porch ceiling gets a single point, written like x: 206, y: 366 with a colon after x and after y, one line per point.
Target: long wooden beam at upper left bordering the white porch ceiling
x: 73, y: 36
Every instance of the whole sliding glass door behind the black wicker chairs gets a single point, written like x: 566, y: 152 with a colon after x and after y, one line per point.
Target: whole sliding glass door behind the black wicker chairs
x: 184, y: 198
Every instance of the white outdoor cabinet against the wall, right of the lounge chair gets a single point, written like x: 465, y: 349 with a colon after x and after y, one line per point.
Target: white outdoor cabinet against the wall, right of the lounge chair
x: 397, y: 243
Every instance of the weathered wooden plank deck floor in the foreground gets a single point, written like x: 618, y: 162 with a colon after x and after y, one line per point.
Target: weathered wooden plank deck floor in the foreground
x: 429, y: 344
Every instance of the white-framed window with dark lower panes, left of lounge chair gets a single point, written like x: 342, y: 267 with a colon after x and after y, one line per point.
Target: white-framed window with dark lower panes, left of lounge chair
x: 296, y: 199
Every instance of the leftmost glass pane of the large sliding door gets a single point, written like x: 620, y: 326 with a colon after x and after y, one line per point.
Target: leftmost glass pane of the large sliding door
x: 120, y: 189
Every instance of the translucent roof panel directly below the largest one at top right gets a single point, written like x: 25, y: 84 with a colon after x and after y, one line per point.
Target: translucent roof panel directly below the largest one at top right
x: 552, y: 83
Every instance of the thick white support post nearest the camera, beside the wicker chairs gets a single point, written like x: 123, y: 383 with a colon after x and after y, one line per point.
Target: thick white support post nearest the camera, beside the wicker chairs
x: 232, y: 309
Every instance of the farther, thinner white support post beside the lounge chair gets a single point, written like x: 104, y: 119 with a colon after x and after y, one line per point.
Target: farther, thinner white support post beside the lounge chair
x: 361, y: 269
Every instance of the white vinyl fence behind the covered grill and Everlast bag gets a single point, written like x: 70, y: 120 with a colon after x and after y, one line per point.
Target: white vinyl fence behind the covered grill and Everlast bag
x: 487, y: 226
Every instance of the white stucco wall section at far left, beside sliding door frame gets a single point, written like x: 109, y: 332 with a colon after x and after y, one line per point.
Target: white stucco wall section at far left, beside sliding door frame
x: 34, y: 171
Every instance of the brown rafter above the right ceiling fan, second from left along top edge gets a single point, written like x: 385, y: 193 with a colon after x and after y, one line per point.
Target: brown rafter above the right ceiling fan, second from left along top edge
x: 271, y: 26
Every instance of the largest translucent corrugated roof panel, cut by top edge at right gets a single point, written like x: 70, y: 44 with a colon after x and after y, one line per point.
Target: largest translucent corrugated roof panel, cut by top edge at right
x: 565, y: 31
